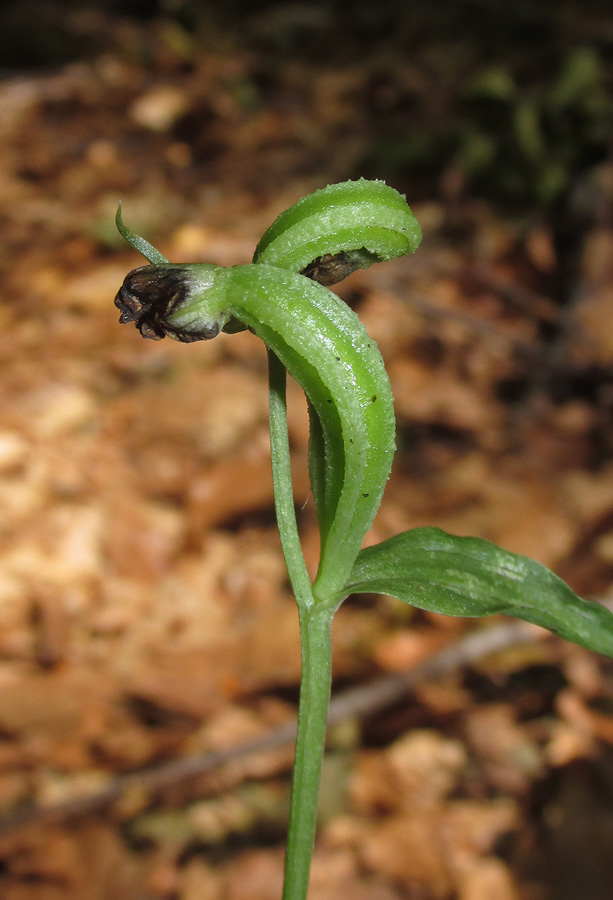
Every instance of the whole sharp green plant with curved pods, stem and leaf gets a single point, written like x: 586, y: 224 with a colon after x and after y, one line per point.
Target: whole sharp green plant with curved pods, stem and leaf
x: 284, y: 299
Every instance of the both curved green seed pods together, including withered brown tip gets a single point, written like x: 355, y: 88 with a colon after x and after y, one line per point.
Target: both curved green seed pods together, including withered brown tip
x: 316, y: 336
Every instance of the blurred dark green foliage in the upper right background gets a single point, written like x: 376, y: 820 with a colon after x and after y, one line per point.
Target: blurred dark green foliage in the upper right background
x: 533, y: 142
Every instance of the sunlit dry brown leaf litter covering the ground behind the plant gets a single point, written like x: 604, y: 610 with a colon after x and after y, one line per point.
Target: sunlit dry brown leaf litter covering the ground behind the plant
x: 145, y: 611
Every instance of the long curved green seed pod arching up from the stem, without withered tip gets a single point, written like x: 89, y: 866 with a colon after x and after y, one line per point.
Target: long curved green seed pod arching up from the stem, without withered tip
x: 324, y: 346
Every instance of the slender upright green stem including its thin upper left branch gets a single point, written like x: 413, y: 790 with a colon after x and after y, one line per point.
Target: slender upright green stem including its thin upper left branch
x: 316, y: 646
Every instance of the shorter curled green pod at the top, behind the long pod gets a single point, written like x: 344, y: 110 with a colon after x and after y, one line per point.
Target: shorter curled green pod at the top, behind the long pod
x: 350, y: 225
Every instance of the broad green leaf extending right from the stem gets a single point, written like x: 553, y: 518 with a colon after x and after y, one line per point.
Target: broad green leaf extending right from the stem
x: 462, y: 576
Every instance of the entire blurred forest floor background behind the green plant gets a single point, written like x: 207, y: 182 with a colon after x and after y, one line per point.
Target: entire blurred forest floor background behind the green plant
x: 145, y: 615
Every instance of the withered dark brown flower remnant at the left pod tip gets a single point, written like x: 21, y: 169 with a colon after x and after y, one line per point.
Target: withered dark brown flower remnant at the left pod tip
x: 148, y: 297
